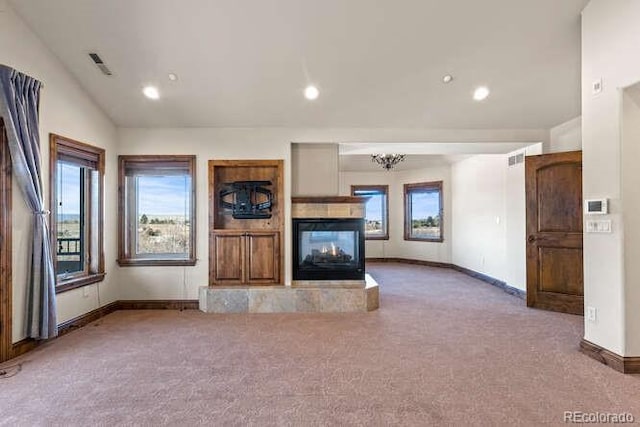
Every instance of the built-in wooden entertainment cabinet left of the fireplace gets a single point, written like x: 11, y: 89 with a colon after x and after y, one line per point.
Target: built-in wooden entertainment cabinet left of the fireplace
x: 245, y: 251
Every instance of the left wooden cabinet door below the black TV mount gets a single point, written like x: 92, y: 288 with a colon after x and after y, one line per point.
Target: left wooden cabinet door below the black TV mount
x: 228, y: 258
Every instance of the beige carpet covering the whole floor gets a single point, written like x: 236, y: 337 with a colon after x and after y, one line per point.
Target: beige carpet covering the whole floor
x: 444, y: 349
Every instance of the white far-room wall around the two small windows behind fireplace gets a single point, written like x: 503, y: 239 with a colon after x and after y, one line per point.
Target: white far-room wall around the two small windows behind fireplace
x: 396, y: 246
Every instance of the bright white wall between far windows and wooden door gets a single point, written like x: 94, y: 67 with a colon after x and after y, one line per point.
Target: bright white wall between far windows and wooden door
x: 489, y: 216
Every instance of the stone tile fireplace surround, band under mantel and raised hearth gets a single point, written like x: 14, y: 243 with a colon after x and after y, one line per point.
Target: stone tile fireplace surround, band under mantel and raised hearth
x: 302, y: 295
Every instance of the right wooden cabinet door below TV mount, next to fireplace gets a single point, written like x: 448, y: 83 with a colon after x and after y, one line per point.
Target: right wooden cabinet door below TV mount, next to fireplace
x: 263, y: 257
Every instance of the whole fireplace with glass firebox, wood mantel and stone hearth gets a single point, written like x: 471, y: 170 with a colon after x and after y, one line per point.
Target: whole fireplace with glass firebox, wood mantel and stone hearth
x: 328, y: 265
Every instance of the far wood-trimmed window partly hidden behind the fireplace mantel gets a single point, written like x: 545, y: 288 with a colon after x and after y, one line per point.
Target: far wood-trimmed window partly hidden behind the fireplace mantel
x: 376, y: 210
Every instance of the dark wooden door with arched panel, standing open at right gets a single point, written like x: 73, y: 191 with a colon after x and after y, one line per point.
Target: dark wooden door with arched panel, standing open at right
x: 554, y: 232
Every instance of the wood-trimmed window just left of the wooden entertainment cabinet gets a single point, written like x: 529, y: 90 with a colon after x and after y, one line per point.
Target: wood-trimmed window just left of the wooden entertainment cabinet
x: 156, y: 210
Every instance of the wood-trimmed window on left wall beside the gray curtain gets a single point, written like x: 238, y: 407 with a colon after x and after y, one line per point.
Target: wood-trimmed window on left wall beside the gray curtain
x: 77, y: 212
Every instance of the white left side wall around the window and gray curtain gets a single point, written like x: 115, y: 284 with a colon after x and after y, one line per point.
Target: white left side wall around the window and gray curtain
x: 65, y: 109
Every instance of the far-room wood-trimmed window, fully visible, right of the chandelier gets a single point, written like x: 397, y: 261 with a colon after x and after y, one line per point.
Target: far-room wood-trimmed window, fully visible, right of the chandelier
x: 423, y: 211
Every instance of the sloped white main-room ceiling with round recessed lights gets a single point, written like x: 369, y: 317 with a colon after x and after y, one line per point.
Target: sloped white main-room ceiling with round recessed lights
x: 376, y: 63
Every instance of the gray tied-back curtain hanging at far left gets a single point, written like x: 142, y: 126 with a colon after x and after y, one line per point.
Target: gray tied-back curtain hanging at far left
x: 19, y: 101
